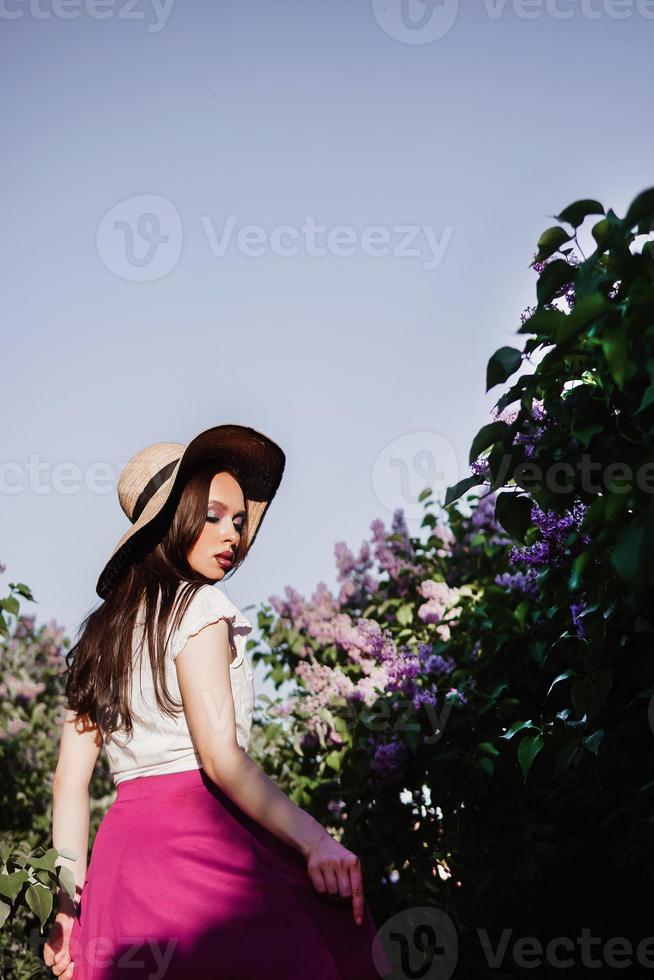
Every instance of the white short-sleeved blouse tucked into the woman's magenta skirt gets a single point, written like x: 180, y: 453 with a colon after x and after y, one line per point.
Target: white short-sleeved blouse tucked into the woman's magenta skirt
x: 159, y: 743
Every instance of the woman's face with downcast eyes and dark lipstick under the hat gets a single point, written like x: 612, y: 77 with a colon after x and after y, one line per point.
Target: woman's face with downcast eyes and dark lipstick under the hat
x: 222, y: 529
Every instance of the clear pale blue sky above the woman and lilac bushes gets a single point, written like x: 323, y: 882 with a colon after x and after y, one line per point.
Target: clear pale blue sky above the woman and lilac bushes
x: 138, y: 307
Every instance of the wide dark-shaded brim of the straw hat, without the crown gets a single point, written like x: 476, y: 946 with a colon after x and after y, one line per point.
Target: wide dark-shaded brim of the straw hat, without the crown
x: 258, y: 461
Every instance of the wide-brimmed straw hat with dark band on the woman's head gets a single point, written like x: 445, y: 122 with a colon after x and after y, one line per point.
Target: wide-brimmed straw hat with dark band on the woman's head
x: 149, y: 478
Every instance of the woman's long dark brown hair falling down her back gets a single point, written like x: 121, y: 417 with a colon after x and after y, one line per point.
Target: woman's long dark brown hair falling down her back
x: 100, y: 663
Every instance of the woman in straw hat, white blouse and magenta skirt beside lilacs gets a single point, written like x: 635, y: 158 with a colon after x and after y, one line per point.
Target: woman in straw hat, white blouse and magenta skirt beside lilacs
x: 202, y: 867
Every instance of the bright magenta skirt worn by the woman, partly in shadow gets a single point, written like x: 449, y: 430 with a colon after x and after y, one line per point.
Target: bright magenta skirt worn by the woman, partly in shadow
x: 183, y: 884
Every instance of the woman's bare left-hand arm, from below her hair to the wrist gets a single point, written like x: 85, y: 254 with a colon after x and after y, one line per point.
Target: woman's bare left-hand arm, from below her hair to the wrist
x: 78, y: 753
